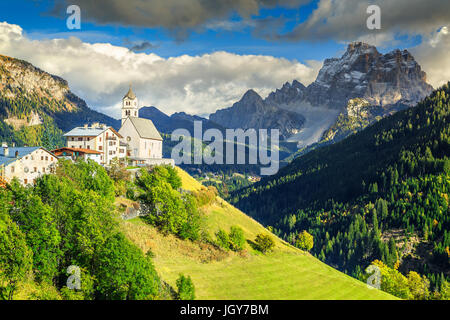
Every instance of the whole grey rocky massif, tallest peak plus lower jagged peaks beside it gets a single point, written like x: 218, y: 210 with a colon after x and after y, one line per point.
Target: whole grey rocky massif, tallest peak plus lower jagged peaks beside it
x: 389, y: 82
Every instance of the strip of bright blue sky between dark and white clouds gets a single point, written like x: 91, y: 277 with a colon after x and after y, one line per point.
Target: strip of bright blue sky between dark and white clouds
x: 33, y: 17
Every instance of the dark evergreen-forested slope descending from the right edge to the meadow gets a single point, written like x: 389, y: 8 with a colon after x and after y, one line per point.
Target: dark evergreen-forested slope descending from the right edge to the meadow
x: 379, y: 194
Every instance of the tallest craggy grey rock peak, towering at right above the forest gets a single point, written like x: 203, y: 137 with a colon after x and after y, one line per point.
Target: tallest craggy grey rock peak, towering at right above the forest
x: 363, y: 72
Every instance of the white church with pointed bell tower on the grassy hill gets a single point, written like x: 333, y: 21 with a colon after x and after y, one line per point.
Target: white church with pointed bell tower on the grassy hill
x: 144, y: 143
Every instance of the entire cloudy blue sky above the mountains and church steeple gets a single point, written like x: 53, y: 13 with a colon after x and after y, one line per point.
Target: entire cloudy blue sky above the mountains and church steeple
x: 197, y: 56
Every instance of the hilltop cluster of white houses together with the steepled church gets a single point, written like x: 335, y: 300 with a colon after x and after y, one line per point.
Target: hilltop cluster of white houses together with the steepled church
x: 137, y: 143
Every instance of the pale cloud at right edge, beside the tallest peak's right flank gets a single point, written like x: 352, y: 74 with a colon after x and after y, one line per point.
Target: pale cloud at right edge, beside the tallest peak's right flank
x: 433, y: 56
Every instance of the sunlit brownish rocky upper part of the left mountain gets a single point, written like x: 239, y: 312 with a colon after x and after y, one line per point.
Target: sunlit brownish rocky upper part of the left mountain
x: 37, y: 94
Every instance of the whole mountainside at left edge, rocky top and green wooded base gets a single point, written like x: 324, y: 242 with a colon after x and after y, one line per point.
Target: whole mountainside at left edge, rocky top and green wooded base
x: 37, y: 107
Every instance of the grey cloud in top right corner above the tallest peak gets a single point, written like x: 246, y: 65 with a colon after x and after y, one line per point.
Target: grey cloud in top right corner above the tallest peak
x: 345, y: 20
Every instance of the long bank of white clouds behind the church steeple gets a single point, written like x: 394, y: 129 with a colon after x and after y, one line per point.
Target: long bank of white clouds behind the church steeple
x: 100, y: 73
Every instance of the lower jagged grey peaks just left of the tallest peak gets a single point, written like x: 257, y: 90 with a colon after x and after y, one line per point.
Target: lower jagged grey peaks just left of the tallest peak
x: 252, y: 112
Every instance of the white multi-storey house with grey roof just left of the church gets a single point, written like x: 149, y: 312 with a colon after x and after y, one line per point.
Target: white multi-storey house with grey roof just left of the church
x: 97, y: 137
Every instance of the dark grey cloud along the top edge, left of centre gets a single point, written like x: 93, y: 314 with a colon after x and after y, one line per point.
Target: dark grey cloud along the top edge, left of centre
x: 177, y: 16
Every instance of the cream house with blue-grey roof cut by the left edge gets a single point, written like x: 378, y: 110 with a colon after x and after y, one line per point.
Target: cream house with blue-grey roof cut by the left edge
x: 25, y: 163
